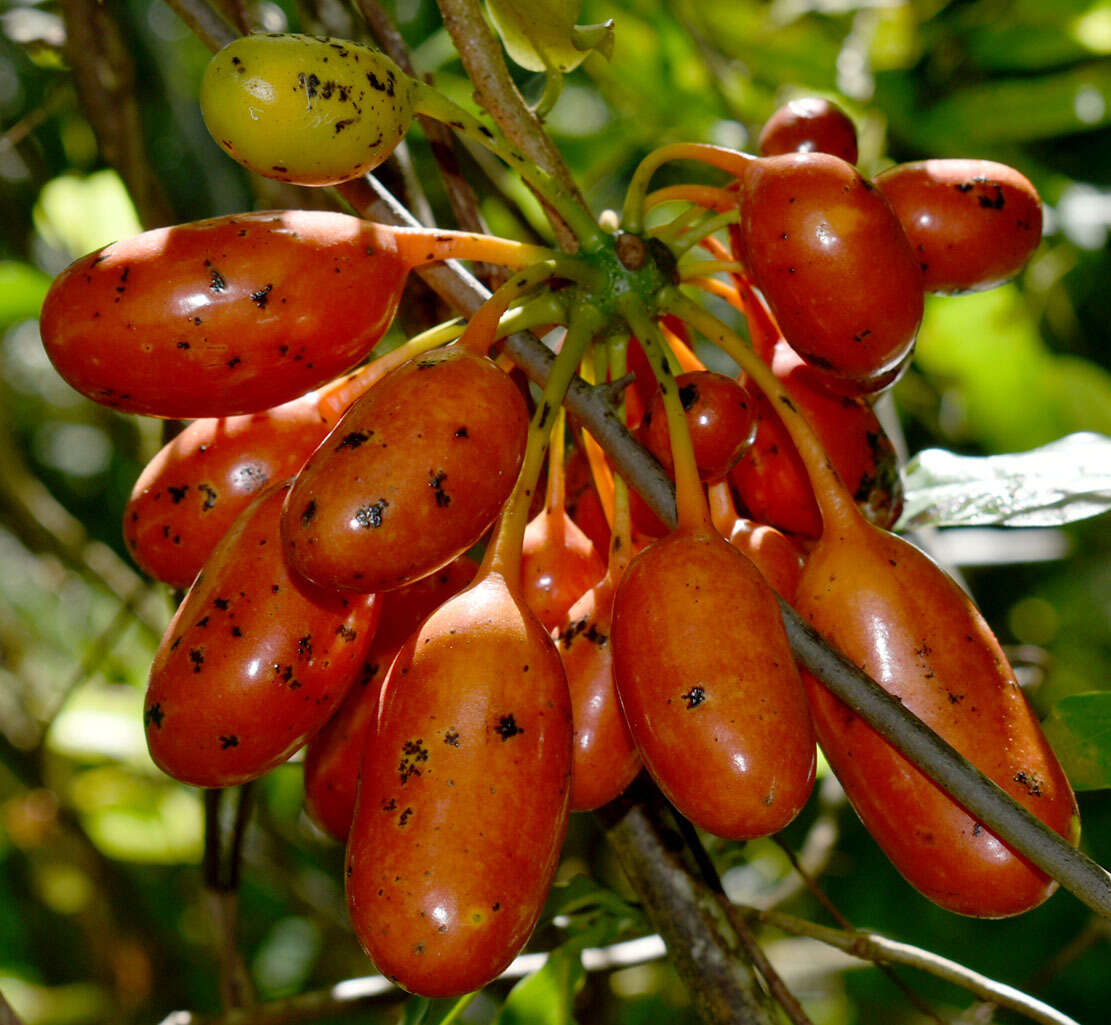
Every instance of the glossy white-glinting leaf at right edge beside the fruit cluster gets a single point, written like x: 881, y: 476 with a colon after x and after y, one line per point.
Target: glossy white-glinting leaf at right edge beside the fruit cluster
x: 1062, y: 483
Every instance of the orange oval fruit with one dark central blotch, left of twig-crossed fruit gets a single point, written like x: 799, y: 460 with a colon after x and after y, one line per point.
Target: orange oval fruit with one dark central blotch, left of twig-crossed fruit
x: 709, y: 687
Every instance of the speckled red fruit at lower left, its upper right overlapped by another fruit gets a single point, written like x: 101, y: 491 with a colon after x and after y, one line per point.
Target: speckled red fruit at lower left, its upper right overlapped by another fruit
x: 254, y: 662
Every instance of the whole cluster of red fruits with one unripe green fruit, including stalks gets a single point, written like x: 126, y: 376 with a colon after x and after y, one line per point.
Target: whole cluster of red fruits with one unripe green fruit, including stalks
x: 322, y: 507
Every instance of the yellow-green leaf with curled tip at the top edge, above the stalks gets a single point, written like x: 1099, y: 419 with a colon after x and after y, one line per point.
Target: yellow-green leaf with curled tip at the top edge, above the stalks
x: 543, y: 35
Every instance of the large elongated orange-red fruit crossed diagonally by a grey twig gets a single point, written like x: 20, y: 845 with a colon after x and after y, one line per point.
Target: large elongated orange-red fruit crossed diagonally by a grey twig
x: 898, y: 617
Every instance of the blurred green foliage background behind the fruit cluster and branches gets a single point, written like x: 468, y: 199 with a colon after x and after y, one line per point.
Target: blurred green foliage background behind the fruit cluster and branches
x: 103, y: 915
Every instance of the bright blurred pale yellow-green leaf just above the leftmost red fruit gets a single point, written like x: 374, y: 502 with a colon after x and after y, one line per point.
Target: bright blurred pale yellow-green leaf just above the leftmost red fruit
x: 79, y: 215
